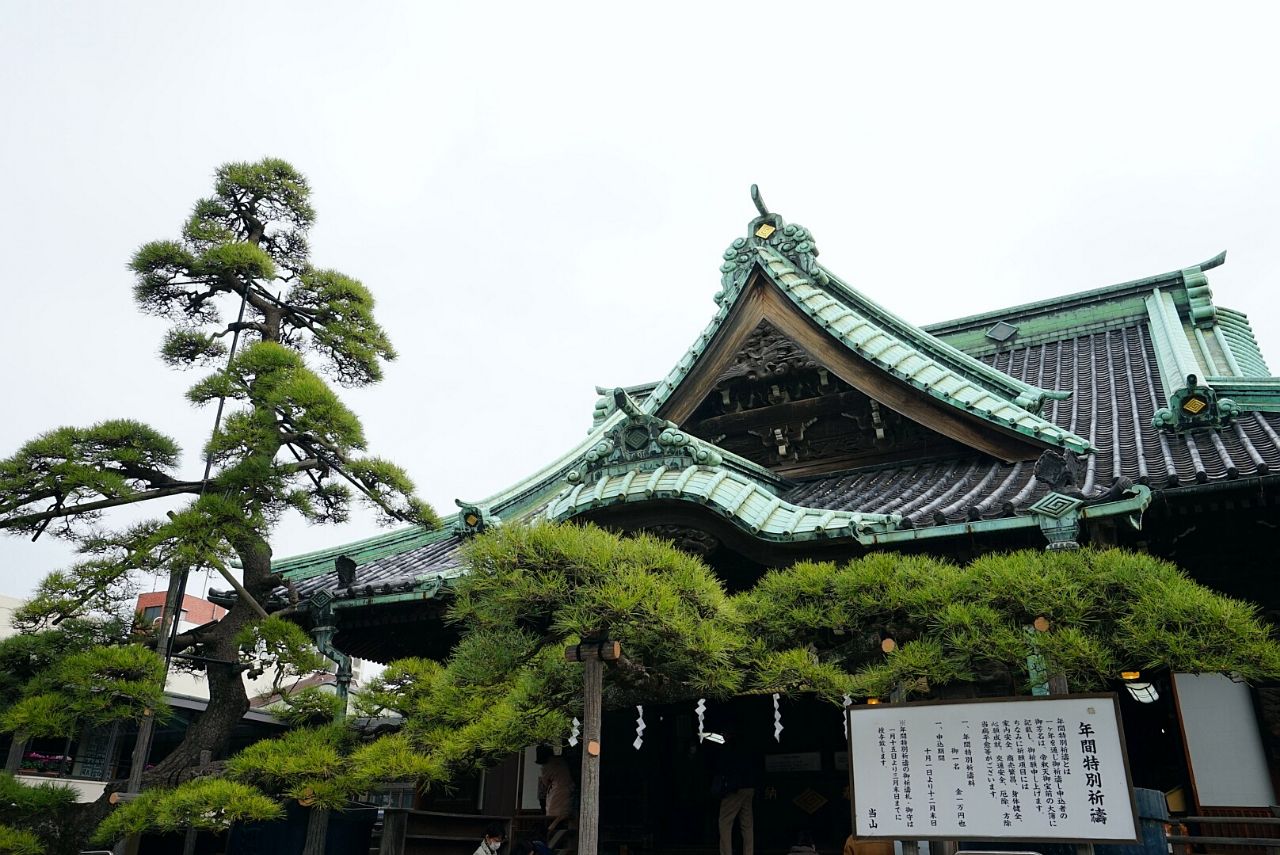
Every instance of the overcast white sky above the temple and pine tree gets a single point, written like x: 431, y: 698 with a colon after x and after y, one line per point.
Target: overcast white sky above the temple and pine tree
x: 540, y: 193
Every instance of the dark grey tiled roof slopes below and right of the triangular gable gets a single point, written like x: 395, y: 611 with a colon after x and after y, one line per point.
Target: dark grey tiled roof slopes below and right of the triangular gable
x: 1117, y: 390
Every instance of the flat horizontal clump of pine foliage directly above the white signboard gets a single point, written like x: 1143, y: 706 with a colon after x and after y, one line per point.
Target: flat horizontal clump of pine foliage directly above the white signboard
x: 1109, y: 610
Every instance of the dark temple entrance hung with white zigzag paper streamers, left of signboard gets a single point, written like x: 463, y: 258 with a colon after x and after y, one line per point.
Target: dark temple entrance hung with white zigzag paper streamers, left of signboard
x: 660, y: 798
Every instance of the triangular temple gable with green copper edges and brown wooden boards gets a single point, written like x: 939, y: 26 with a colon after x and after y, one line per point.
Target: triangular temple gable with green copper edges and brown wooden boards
x: 780, y: 313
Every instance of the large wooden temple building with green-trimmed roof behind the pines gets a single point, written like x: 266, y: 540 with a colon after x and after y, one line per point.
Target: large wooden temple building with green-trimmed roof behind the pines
x: 808, y: 422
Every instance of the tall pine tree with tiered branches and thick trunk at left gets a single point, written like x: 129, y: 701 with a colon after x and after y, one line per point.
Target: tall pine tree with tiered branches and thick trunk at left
x: 241, y: 295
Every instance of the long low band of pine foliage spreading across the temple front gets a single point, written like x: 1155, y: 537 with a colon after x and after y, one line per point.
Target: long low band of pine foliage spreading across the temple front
x: 812, y: 630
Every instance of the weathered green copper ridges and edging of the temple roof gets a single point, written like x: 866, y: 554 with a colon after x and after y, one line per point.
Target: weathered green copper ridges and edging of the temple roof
x: 615, y: 464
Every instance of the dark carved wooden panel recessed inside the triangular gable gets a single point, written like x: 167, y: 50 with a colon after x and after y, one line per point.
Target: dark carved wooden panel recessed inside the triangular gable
x: 778, y: 406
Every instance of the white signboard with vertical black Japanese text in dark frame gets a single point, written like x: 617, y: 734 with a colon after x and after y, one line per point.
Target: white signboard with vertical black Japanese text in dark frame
x: 1026, y: 769
